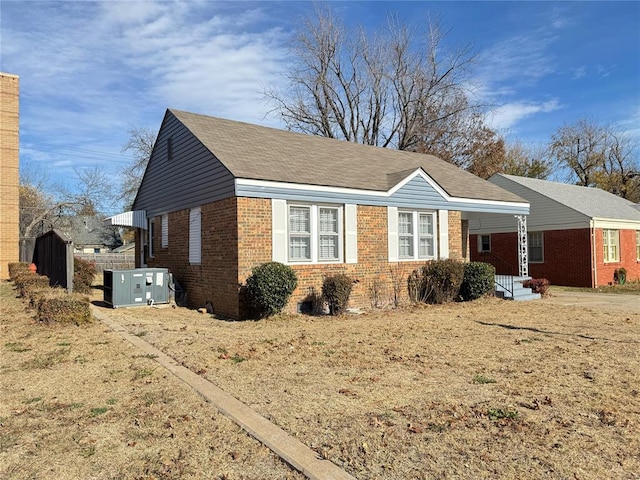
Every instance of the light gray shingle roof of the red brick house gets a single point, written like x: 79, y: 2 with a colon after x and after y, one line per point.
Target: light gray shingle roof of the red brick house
x: 592, y: 202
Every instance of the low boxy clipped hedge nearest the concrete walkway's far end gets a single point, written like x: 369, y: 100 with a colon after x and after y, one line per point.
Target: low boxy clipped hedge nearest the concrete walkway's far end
x: 61, y: 307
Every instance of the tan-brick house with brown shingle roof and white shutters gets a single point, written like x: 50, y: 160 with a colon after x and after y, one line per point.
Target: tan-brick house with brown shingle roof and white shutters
x: 220, y: 197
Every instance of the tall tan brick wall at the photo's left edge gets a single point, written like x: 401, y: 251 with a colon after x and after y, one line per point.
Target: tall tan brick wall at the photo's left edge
x: 9, y: 176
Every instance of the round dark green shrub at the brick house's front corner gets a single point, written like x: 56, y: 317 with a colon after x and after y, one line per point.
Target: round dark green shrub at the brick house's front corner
x: 269, y: 288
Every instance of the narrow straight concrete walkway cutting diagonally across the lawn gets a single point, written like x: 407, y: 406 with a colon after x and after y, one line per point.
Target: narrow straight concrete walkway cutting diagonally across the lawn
x: 287, y: 447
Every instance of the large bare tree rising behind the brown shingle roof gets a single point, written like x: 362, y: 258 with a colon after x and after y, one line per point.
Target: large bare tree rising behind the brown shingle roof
x: 394, y: 90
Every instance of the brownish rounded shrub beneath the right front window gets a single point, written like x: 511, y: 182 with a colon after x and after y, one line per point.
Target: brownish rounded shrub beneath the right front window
x: 438, y: 281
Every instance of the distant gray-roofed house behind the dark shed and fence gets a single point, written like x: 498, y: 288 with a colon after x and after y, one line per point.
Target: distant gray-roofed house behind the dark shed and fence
x: 89, y: 234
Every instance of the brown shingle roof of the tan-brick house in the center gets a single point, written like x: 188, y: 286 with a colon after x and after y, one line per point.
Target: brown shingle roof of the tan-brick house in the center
x: 261, y: 153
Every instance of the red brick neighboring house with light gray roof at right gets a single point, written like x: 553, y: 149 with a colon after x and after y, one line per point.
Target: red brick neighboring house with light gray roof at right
x: 577, y: 236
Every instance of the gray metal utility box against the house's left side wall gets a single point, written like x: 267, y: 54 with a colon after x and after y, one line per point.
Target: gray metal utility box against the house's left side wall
x: 140, y: 286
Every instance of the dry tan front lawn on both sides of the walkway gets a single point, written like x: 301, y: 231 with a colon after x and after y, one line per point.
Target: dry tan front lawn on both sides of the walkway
x: 488, y: 389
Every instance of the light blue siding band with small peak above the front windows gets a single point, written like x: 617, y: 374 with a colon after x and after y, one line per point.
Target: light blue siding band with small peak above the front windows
x: 417, y: 193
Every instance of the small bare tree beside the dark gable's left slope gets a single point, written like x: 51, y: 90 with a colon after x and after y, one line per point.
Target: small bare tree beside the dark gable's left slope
x: 140, y: 144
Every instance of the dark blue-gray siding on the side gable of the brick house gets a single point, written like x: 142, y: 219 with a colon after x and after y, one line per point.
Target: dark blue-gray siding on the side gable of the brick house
x: 192, y: 177
